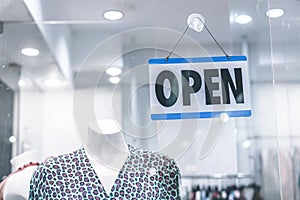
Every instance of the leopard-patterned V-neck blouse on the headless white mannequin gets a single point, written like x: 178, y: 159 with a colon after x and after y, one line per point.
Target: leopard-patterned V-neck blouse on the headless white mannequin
x: 144, y: 175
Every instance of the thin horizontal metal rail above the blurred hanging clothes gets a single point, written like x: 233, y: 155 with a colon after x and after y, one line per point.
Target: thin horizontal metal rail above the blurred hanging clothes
x: 219, y: 176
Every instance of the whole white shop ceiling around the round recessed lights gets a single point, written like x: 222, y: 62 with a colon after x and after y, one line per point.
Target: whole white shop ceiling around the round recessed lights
x: 67, y: 30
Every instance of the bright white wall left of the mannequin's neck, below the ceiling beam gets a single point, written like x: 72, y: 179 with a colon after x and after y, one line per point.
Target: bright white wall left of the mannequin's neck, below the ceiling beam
x: 46, y: 122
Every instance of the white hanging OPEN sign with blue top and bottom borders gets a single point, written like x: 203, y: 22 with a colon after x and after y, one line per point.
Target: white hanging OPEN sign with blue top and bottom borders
x: 205, y: 87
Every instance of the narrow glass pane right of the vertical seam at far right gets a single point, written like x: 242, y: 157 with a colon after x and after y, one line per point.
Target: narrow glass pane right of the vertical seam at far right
x: 284, y: 26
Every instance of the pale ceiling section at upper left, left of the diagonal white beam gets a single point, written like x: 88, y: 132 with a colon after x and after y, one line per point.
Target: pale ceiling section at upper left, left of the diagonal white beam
x: 18, y: 33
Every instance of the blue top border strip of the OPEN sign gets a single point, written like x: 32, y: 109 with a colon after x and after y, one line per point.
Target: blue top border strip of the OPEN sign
x: 196, y: 60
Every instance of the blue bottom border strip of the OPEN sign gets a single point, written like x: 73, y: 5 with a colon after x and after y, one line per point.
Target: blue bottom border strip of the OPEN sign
x: 196, y: 115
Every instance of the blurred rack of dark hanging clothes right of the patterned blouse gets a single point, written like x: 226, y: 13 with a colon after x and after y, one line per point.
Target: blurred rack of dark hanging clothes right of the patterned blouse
x: 219, y: 187
